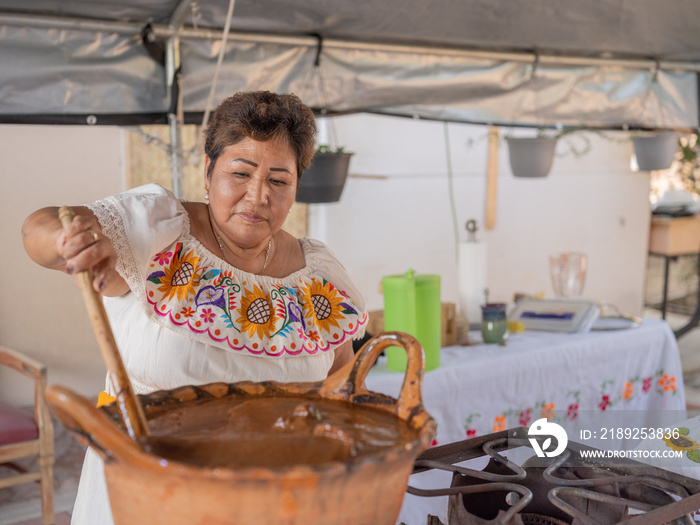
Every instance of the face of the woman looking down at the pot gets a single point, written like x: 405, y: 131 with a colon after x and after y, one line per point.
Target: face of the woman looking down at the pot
x: 251, y: 189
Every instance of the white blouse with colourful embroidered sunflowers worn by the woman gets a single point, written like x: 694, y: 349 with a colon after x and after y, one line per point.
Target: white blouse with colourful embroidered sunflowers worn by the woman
x: 192, y: 318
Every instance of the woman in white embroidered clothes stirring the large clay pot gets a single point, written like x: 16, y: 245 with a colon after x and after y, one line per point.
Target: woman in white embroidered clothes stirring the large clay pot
x: 197, y: 292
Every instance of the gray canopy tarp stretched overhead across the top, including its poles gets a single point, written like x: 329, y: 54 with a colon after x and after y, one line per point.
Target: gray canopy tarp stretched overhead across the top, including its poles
x: 595, y: 63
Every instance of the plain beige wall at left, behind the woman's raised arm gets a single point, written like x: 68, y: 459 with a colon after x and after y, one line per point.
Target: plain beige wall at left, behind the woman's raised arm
x: 41, y: 311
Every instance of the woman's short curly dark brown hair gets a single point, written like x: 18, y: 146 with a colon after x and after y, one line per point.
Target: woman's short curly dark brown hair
x: 262, y: 115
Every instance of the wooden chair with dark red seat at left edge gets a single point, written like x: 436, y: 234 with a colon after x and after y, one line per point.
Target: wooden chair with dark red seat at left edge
x: 23, y: 435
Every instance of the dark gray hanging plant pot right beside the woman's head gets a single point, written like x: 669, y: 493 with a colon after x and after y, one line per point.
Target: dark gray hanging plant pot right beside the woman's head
x: 325, y: 179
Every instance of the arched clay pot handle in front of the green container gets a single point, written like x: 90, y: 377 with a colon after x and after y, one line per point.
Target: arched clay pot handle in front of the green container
x: 350, y: 379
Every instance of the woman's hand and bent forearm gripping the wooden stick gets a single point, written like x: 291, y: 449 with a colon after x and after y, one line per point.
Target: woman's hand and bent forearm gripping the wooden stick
x: 80, y: 247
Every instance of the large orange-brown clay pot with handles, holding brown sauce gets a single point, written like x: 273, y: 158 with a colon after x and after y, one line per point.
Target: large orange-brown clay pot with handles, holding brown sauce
x: 145, y: 488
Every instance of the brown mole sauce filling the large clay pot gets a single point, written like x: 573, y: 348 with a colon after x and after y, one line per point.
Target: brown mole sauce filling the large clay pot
x: 272, y: 432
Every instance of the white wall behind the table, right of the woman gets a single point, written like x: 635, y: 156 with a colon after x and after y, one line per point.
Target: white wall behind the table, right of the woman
x: 401, y: 218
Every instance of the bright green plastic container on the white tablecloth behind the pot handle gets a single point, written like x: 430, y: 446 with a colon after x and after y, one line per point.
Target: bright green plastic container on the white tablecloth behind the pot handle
x: 412, y: 305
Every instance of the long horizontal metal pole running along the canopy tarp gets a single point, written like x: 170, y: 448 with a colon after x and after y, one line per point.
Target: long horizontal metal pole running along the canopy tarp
x: 169, y: 31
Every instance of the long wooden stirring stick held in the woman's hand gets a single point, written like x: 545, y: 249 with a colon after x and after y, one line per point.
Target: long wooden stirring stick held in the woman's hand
x: 129, y: 406
